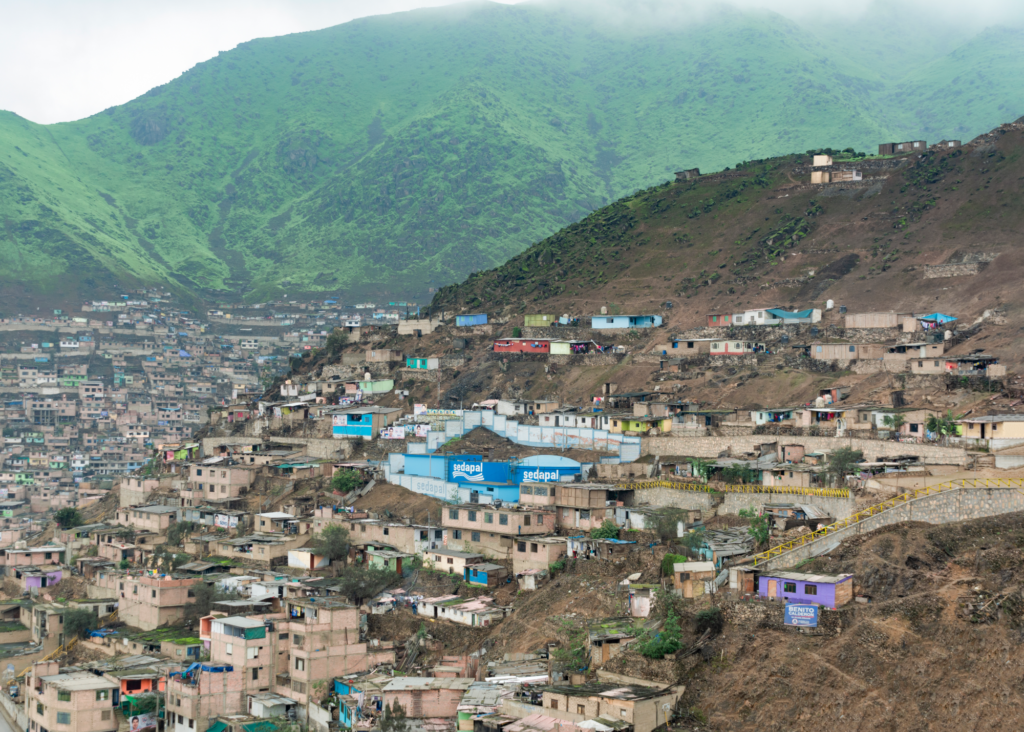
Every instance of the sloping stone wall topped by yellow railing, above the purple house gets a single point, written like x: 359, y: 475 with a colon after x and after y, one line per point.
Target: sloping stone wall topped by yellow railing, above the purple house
x: 948, y: 507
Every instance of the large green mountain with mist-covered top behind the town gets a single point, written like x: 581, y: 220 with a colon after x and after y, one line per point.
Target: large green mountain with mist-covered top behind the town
x: 401, y: 153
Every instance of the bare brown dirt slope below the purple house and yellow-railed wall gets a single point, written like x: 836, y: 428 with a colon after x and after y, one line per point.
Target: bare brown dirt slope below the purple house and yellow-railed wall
x: 909, y: 661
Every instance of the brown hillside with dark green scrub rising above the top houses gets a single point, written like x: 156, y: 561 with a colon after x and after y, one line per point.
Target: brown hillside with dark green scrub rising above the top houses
x: 763, y: 236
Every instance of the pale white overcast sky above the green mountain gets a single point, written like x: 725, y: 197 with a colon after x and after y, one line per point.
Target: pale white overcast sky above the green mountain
x: 66, y: 60
